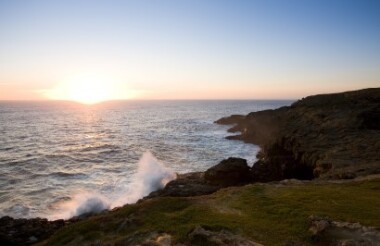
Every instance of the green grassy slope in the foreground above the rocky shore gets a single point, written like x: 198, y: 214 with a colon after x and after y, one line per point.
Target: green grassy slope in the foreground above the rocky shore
x: 267, y: 213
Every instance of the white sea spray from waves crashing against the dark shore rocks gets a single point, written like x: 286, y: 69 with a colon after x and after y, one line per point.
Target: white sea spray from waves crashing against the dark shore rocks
x: 151, y: 175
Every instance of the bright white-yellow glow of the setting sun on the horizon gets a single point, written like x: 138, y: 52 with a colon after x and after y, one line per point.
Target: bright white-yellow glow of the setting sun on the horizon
x: 89, y: 90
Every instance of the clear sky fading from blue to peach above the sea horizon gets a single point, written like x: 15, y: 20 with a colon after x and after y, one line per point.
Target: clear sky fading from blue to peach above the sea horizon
x: 197, y: 49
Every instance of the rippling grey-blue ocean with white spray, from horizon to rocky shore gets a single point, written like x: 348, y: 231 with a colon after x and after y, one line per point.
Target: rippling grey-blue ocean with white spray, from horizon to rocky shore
x: 62, y: 159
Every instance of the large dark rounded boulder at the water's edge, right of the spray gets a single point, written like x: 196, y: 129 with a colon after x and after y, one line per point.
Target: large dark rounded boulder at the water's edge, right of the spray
x: 229, y: 172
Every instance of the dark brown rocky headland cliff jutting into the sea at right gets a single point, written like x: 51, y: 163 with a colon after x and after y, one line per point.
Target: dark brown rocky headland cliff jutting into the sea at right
x: 331, y: 136
